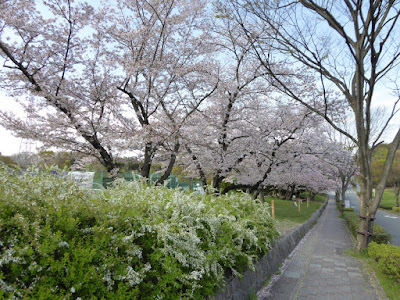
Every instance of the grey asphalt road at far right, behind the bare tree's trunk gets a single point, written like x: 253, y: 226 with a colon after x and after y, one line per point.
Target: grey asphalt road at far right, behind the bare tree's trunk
x: 390, y: 222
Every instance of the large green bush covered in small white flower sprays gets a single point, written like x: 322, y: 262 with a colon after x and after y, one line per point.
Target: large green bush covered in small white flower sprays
x: 59, y: 241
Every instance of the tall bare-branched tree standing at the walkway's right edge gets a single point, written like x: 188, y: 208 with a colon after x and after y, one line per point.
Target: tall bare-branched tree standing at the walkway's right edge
x: 350, y: 46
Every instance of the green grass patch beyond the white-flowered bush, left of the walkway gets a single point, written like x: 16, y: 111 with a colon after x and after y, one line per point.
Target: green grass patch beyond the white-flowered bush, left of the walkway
x: 287, y: 214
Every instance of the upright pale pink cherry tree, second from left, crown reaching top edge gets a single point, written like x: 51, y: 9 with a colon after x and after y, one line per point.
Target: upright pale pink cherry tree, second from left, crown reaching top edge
x: 161, y: 49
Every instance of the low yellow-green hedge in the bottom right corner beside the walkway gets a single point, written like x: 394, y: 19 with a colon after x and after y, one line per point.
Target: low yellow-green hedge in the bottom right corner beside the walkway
x: 388, y: 258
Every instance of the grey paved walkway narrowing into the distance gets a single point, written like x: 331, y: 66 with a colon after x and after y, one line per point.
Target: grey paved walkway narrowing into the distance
x: 319, y: 269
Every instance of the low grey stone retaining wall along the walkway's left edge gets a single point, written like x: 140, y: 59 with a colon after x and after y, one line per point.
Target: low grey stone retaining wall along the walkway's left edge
x: 252, y: 281
